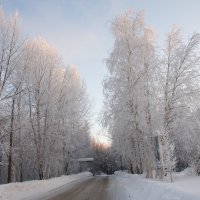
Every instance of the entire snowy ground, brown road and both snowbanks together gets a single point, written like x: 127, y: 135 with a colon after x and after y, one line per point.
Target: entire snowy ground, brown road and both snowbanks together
x: 120, y: 186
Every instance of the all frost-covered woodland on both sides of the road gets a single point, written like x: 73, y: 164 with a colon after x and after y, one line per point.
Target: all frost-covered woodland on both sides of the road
x: 151, y: 106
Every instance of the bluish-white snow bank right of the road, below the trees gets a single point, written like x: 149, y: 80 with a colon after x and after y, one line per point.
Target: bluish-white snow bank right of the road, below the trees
x: 137, y: 187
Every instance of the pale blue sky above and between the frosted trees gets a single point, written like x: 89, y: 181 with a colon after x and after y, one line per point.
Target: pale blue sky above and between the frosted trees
x: 80, y: 29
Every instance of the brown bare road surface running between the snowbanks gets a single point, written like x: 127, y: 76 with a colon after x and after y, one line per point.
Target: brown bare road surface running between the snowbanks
x: 95, y: 188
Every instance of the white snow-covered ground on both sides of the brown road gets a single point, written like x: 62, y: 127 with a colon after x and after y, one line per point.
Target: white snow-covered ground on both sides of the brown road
x: 123, y: 186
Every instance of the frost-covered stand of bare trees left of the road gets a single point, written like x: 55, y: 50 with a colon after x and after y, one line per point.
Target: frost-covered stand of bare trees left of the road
x: 43, y: 108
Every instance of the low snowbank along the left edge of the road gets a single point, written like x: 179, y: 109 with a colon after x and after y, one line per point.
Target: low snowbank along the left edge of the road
x: 18, y: 191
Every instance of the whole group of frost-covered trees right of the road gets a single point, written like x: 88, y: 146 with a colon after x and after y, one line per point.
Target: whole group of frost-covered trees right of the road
x: 152, y: 92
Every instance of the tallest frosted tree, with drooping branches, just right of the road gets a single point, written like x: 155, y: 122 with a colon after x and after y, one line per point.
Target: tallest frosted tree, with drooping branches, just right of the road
x: 128, y: 91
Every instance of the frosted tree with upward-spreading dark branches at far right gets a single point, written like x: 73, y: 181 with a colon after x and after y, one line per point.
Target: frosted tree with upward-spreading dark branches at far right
x: 181, y: 75
